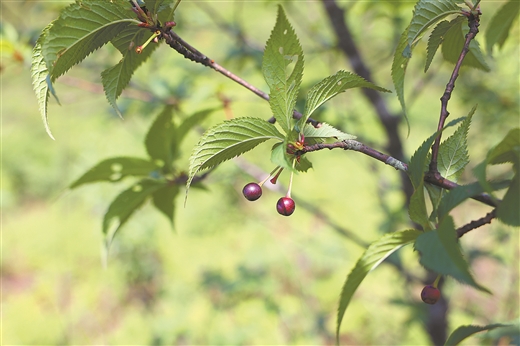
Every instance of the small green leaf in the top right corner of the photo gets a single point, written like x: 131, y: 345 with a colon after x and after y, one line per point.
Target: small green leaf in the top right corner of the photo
x: 501, y: 23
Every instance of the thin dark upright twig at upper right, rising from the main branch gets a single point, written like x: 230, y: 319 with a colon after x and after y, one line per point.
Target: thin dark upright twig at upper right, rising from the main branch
x: 473, y: 30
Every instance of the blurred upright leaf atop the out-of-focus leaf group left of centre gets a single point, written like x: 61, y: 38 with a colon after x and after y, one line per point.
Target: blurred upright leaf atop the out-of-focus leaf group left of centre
x: 158, y: 139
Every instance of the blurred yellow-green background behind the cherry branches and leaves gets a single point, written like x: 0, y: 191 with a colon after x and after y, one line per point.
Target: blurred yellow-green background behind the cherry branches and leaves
x: 233, y: 272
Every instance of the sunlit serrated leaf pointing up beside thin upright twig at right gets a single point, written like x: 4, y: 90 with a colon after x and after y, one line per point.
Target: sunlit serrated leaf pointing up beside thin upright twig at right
x: 453, y: 152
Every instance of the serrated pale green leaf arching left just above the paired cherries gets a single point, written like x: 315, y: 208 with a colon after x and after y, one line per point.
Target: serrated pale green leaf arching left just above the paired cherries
x: 228, y: 140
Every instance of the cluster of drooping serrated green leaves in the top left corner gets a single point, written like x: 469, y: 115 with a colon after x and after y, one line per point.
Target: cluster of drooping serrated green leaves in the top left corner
x: 86, y: 26
